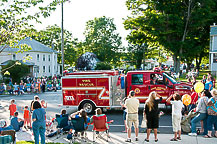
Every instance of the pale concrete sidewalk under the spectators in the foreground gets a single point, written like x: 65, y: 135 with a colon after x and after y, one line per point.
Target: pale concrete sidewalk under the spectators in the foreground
x: 119, y: 138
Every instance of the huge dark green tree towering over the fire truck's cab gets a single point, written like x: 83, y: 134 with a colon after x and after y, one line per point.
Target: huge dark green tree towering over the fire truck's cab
x: 180, y: 26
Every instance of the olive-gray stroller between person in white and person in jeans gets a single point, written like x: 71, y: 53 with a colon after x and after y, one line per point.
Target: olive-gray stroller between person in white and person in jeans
x: 185, y: 123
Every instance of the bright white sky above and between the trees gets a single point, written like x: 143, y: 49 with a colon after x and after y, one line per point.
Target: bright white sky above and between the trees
x: 78, y: 12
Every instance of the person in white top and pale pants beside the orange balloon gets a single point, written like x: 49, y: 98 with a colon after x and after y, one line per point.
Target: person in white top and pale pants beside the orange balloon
x: 177, y: 106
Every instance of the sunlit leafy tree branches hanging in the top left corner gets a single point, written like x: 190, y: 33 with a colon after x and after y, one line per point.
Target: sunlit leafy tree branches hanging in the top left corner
x: 15, y: 18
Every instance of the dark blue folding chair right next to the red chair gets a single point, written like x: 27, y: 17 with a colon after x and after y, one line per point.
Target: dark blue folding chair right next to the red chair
x: 79, y: 127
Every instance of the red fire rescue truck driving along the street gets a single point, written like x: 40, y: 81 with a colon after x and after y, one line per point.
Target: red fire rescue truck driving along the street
x: 89, y: 90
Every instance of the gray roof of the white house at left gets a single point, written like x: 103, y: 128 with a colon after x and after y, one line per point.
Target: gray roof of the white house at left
x: 35, y: 45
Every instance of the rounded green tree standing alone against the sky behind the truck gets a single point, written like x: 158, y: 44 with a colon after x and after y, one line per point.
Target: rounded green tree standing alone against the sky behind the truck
x: 102, y: 39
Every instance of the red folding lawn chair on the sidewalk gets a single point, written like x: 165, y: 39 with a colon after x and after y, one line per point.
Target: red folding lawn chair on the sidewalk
x: 100, y: 125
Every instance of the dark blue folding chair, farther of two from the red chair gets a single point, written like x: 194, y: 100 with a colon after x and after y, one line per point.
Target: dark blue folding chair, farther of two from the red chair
x: 62, y: 123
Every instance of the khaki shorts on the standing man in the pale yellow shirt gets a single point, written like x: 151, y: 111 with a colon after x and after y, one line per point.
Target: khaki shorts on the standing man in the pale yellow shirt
x: 132, y: 119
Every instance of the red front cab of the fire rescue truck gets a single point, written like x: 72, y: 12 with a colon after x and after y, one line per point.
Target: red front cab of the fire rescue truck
x: 144, y: 82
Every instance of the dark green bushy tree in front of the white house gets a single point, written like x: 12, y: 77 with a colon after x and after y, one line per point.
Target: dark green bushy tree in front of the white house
x: 16, y: 71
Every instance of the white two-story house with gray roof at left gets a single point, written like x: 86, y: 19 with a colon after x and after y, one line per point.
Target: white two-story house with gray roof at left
x: 43, y: 58
